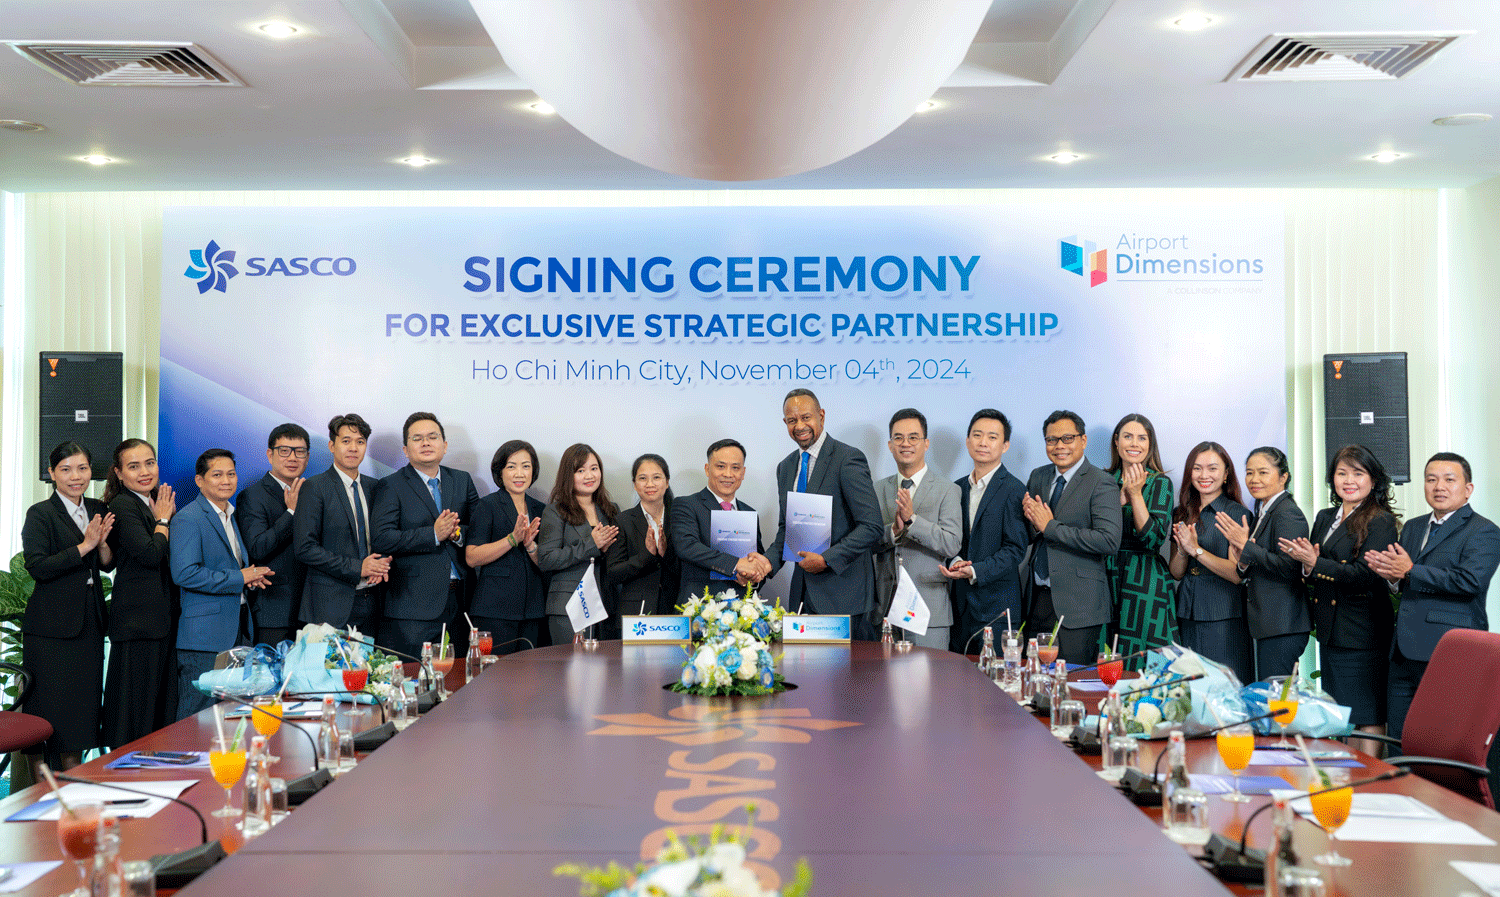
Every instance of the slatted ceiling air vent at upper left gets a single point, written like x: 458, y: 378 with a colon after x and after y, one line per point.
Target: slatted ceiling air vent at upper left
x: 104, y: 64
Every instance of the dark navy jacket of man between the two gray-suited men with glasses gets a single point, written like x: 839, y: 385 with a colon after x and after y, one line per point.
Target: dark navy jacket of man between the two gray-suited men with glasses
x: 997, y: 547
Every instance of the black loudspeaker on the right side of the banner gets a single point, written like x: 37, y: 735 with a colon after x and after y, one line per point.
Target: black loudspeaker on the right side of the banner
x: 1366, y: 403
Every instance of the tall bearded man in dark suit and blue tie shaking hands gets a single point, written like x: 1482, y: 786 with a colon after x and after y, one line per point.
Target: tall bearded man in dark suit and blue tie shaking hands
x: 842, y: 578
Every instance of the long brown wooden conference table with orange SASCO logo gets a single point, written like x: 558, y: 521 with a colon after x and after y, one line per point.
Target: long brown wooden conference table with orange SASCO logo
x: 892, y: 773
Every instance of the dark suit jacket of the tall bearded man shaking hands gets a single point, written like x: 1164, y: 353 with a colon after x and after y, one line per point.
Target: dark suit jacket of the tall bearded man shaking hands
x: 848, y: 584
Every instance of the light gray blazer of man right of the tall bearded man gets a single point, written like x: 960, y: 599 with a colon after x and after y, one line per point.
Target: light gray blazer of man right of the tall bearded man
x: 934, y: 536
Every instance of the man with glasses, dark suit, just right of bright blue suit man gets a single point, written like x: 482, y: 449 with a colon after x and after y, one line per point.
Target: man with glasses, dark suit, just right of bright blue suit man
x: 265, y: 514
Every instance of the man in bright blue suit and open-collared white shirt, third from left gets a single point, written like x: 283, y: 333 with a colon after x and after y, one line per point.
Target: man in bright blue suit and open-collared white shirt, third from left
x: 211, y: 566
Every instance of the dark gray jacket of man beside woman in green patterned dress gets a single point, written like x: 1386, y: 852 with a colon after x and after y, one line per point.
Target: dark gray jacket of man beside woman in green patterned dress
x: 1085, y: 530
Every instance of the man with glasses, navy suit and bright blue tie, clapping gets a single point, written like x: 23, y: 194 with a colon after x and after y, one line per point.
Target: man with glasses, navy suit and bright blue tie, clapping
x: 419, y: 517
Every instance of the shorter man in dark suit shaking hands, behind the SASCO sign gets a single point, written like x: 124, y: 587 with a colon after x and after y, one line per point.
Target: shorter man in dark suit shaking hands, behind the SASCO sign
x: 691, y: 527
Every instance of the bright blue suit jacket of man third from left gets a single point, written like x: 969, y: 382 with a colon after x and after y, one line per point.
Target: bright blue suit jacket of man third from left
x: 209, y: 577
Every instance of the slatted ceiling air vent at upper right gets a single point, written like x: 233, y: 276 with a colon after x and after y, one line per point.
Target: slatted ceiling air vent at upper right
x: 1342, y: 56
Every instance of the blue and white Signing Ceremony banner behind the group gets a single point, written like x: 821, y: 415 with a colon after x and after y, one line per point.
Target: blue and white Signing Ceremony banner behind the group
x: 667, y: 329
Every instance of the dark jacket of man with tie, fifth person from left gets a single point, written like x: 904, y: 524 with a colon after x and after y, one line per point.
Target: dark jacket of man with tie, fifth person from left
x: 326, y: 545
